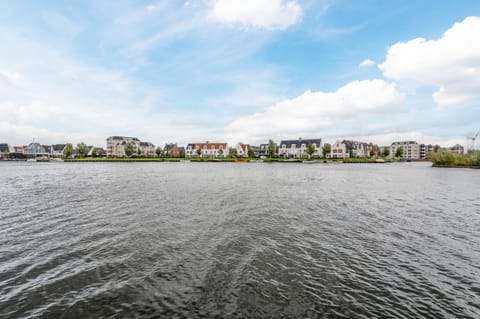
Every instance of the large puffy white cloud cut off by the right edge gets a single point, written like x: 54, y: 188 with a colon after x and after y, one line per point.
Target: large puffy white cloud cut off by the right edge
x: 451, y: 63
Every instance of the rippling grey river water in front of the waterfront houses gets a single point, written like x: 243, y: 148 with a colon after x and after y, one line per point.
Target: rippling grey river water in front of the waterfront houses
x: 230, y: 240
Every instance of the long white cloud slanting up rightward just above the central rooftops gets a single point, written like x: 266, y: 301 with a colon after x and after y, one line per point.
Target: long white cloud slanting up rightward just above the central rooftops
x: 311, y: 112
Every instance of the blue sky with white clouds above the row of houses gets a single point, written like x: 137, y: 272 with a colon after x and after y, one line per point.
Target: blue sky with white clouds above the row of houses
x: 239, y: 70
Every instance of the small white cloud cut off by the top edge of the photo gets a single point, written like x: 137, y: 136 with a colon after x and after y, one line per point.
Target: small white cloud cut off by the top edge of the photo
x: 268, y: 14
